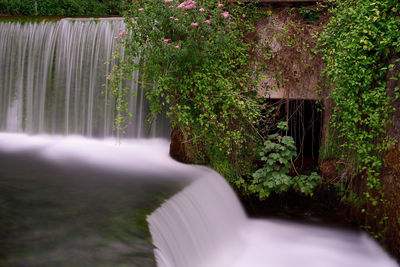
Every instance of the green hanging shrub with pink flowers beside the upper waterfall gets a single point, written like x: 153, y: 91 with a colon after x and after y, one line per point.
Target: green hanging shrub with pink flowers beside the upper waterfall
x: 193, y: 58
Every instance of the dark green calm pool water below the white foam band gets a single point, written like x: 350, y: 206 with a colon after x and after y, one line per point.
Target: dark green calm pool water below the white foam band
x: 75, y: 215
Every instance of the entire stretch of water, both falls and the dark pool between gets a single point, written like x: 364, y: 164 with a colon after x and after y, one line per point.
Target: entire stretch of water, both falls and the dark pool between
x: 73, y: 193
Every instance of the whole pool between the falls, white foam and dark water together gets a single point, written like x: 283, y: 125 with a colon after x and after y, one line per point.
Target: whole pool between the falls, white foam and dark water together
x: 81, y: 202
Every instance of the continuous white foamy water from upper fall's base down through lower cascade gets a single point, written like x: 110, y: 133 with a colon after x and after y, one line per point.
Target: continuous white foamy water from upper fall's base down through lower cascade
x: 205, y: 225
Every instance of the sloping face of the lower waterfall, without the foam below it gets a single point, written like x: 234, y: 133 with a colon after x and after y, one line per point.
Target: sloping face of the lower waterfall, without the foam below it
x: 198, y: 225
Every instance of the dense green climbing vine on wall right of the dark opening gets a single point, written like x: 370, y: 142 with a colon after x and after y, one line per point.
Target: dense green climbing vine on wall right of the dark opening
x: 357, y: 44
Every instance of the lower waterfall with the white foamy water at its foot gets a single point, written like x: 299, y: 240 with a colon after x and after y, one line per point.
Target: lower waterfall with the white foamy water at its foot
x: 205, y: 226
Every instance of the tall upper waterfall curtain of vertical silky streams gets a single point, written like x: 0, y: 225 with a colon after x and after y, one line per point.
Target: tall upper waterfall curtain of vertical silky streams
x: 53, y: 80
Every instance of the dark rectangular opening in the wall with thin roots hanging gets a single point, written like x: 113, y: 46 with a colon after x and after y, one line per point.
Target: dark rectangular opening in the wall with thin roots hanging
x: 304, y: 119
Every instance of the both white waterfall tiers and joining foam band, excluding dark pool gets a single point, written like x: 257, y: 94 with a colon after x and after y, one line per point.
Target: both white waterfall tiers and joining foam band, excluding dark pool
x: 53, y: 82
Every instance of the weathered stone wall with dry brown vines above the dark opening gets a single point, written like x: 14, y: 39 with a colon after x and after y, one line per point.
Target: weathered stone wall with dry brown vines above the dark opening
x: 291, y: 67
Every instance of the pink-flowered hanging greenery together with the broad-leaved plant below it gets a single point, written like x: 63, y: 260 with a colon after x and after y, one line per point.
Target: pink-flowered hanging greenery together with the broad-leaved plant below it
x: 195, y: 60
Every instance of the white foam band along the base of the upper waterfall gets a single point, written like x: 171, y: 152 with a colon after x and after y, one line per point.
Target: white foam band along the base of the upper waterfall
x: 127, y: 155
